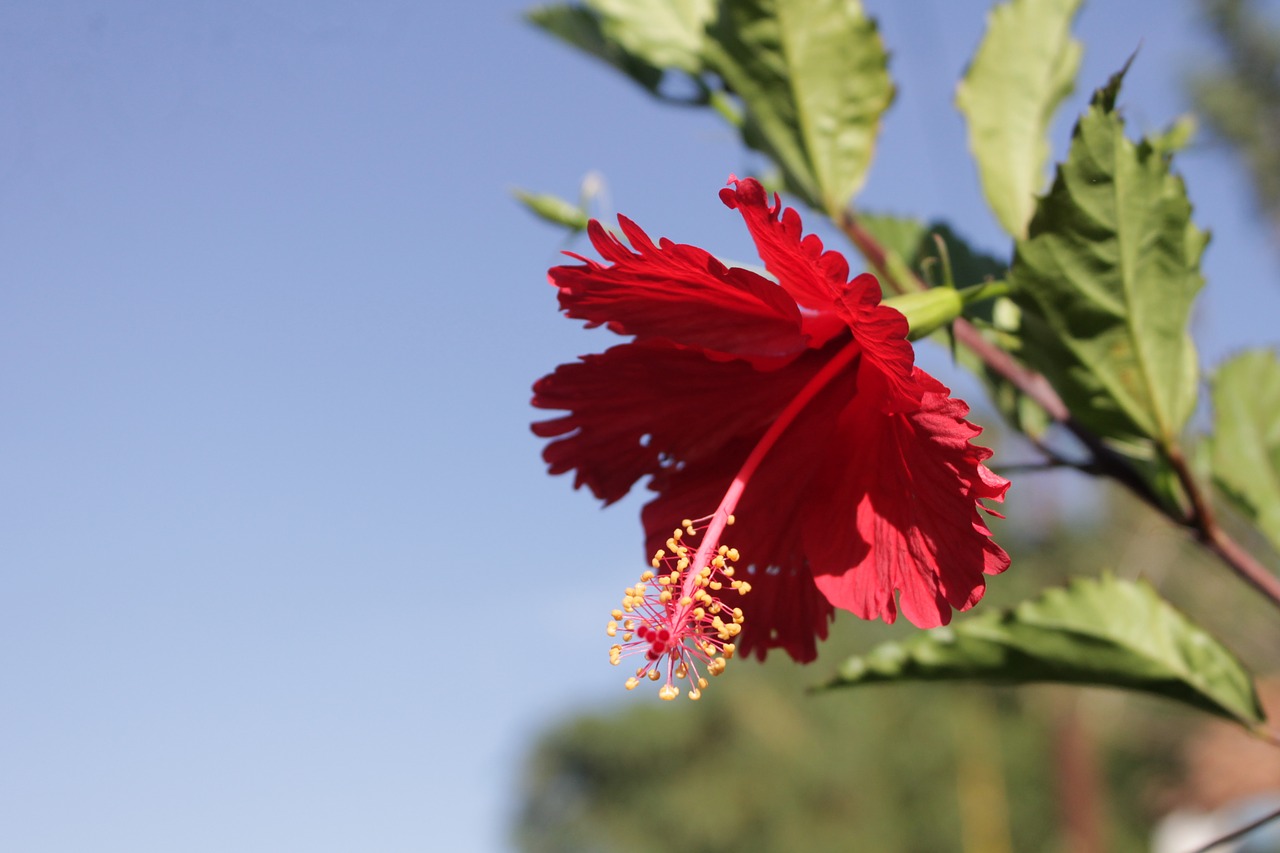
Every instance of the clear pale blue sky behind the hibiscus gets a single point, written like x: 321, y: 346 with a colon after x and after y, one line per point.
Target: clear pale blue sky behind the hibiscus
x: 280, y: 564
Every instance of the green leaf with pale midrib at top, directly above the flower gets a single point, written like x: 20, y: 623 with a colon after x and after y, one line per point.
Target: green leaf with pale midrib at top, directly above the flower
x: 813, y: 81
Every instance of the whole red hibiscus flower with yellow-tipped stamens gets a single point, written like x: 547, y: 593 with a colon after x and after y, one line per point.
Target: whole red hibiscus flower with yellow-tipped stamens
x: 794, y: 407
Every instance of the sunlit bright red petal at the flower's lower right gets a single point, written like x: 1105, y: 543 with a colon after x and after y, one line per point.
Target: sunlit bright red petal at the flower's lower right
x: 898, y: 510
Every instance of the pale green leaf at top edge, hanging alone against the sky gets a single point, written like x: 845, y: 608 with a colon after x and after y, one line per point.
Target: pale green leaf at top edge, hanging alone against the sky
x: 1025, y: 69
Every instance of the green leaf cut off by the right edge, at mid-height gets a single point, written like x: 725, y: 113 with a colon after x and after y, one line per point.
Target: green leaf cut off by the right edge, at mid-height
x: 1246, y: 446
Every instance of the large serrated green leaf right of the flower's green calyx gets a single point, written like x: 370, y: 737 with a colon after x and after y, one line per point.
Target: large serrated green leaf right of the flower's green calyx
x: 1110, y: 270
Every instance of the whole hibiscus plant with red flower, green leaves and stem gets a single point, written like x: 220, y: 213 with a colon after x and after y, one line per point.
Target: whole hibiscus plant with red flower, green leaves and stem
x: 801, y: 462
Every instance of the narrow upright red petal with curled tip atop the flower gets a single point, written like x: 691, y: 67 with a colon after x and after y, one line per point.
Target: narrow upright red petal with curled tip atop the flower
x: 811, y: 276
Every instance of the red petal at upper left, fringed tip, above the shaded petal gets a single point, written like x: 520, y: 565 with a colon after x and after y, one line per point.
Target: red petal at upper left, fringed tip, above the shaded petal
x: 680, y: 294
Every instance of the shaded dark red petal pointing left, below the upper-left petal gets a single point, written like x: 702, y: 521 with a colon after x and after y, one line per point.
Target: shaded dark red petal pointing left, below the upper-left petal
x: 646, y: 408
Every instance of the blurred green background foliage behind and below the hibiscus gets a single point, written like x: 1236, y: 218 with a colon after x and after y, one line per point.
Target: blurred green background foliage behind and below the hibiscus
x: 761, y: 765
